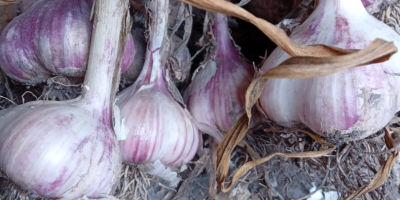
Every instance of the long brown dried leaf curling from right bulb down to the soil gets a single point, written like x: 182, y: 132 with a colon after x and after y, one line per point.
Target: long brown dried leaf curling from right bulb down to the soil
x: 295, y: 67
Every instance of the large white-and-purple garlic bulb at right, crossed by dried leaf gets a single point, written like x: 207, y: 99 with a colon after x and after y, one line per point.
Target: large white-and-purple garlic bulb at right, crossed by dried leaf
x: 352, y: 104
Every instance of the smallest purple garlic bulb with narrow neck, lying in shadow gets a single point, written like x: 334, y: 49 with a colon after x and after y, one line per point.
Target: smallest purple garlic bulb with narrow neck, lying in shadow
x: 216, y: 94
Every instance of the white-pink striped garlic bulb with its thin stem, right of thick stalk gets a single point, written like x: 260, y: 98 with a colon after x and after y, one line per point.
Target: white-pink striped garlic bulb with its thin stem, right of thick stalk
x: 154, y: 125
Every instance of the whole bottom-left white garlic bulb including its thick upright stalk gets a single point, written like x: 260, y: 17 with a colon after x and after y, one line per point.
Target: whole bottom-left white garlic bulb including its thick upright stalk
x: 68, y: 149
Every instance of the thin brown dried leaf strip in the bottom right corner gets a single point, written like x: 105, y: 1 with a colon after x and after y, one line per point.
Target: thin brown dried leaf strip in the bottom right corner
x: 382, y: 175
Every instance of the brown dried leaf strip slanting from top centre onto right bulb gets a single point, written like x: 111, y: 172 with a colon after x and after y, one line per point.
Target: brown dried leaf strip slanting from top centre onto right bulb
x: 276, y: 34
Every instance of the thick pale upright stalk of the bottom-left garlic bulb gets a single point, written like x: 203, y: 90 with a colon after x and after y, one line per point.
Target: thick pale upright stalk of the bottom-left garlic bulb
x: 106, y: 51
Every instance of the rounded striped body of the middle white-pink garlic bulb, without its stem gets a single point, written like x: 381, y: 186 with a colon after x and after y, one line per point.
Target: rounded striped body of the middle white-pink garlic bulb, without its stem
x: 158, y: 128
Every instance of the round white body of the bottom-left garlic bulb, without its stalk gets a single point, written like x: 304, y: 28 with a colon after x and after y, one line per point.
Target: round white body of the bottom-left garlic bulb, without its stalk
x: 55, y: 150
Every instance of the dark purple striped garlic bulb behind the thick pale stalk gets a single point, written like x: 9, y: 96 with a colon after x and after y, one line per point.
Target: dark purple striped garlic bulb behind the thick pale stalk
x: 50, y: 38
